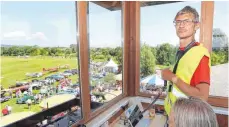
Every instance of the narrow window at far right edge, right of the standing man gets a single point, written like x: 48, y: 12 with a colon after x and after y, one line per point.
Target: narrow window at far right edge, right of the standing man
x: 219, y: 55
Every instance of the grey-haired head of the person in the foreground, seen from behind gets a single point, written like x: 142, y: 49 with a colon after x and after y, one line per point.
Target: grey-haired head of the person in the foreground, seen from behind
x: 192, y: 112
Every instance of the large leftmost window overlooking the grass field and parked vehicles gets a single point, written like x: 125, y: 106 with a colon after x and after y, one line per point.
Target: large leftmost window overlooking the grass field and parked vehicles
x: 39, y: 67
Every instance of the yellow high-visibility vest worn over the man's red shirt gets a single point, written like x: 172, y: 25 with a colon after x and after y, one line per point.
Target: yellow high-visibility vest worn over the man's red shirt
x: 185, y: 70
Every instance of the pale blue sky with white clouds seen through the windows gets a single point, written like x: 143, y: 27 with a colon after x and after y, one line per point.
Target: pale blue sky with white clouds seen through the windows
x: 53, y: 23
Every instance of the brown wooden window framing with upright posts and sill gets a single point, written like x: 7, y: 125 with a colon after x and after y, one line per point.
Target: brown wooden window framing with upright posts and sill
x: 131, y: 54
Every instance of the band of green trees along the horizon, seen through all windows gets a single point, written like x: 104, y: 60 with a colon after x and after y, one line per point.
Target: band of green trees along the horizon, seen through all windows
x: 162, y: 55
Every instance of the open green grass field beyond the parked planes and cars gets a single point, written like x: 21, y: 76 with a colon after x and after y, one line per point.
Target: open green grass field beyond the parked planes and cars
x: 14, y: 69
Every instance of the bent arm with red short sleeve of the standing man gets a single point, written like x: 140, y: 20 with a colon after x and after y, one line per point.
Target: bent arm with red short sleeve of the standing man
x: 200, y: 84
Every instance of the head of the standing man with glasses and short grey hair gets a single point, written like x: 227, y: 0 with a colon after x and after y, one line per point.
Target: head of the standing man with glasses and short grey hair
x: 186, y: 22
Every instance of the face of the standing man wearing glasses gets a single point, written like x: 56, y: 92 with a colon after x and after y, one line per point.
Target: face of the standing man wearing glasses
x: 186, y: 27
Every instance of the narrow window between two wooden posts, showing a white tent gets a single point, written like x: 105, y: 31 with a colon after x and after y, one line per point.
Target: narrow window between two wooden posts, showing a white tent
x: 105, y: 45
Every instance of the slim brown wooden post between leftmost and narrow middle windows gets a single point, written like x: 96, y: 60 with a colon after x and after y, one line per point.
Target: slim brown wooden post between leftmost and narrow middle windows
x: 83, y: 58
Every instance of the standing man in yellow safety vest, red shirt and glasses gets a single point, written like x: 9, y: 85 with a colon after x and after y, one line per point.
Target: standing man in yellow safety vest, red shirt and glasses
x: 191, y: 77
